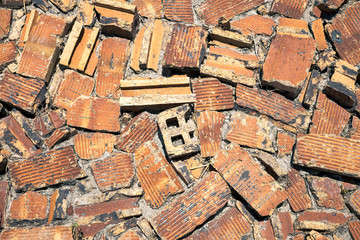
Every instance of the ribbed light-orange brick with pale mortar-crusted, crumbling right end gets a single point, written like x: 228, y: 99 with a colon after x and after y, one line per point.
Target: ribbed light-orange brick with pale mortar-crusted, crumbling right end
x: 251, y: 131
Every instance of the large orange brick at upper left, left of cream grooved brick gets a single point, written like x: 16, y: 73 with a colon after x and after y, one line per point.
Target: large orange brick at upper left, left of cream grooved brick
x: 41, y: 50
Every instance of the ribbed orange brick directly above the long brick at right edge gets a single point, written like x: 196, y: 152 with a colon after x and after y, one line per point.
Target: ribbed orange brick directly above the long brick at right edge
x: 329, y: 118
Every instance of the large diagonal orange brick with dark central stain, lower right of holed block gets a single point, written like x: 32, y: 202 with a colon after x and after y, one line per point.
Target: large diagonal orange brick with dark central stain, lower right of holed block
x: 249, y: 179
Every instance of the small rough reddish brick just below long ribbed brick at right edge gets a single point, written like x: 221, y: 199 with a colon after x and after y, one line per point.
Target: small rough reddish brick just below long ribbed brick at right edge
x: 327, y: 192
